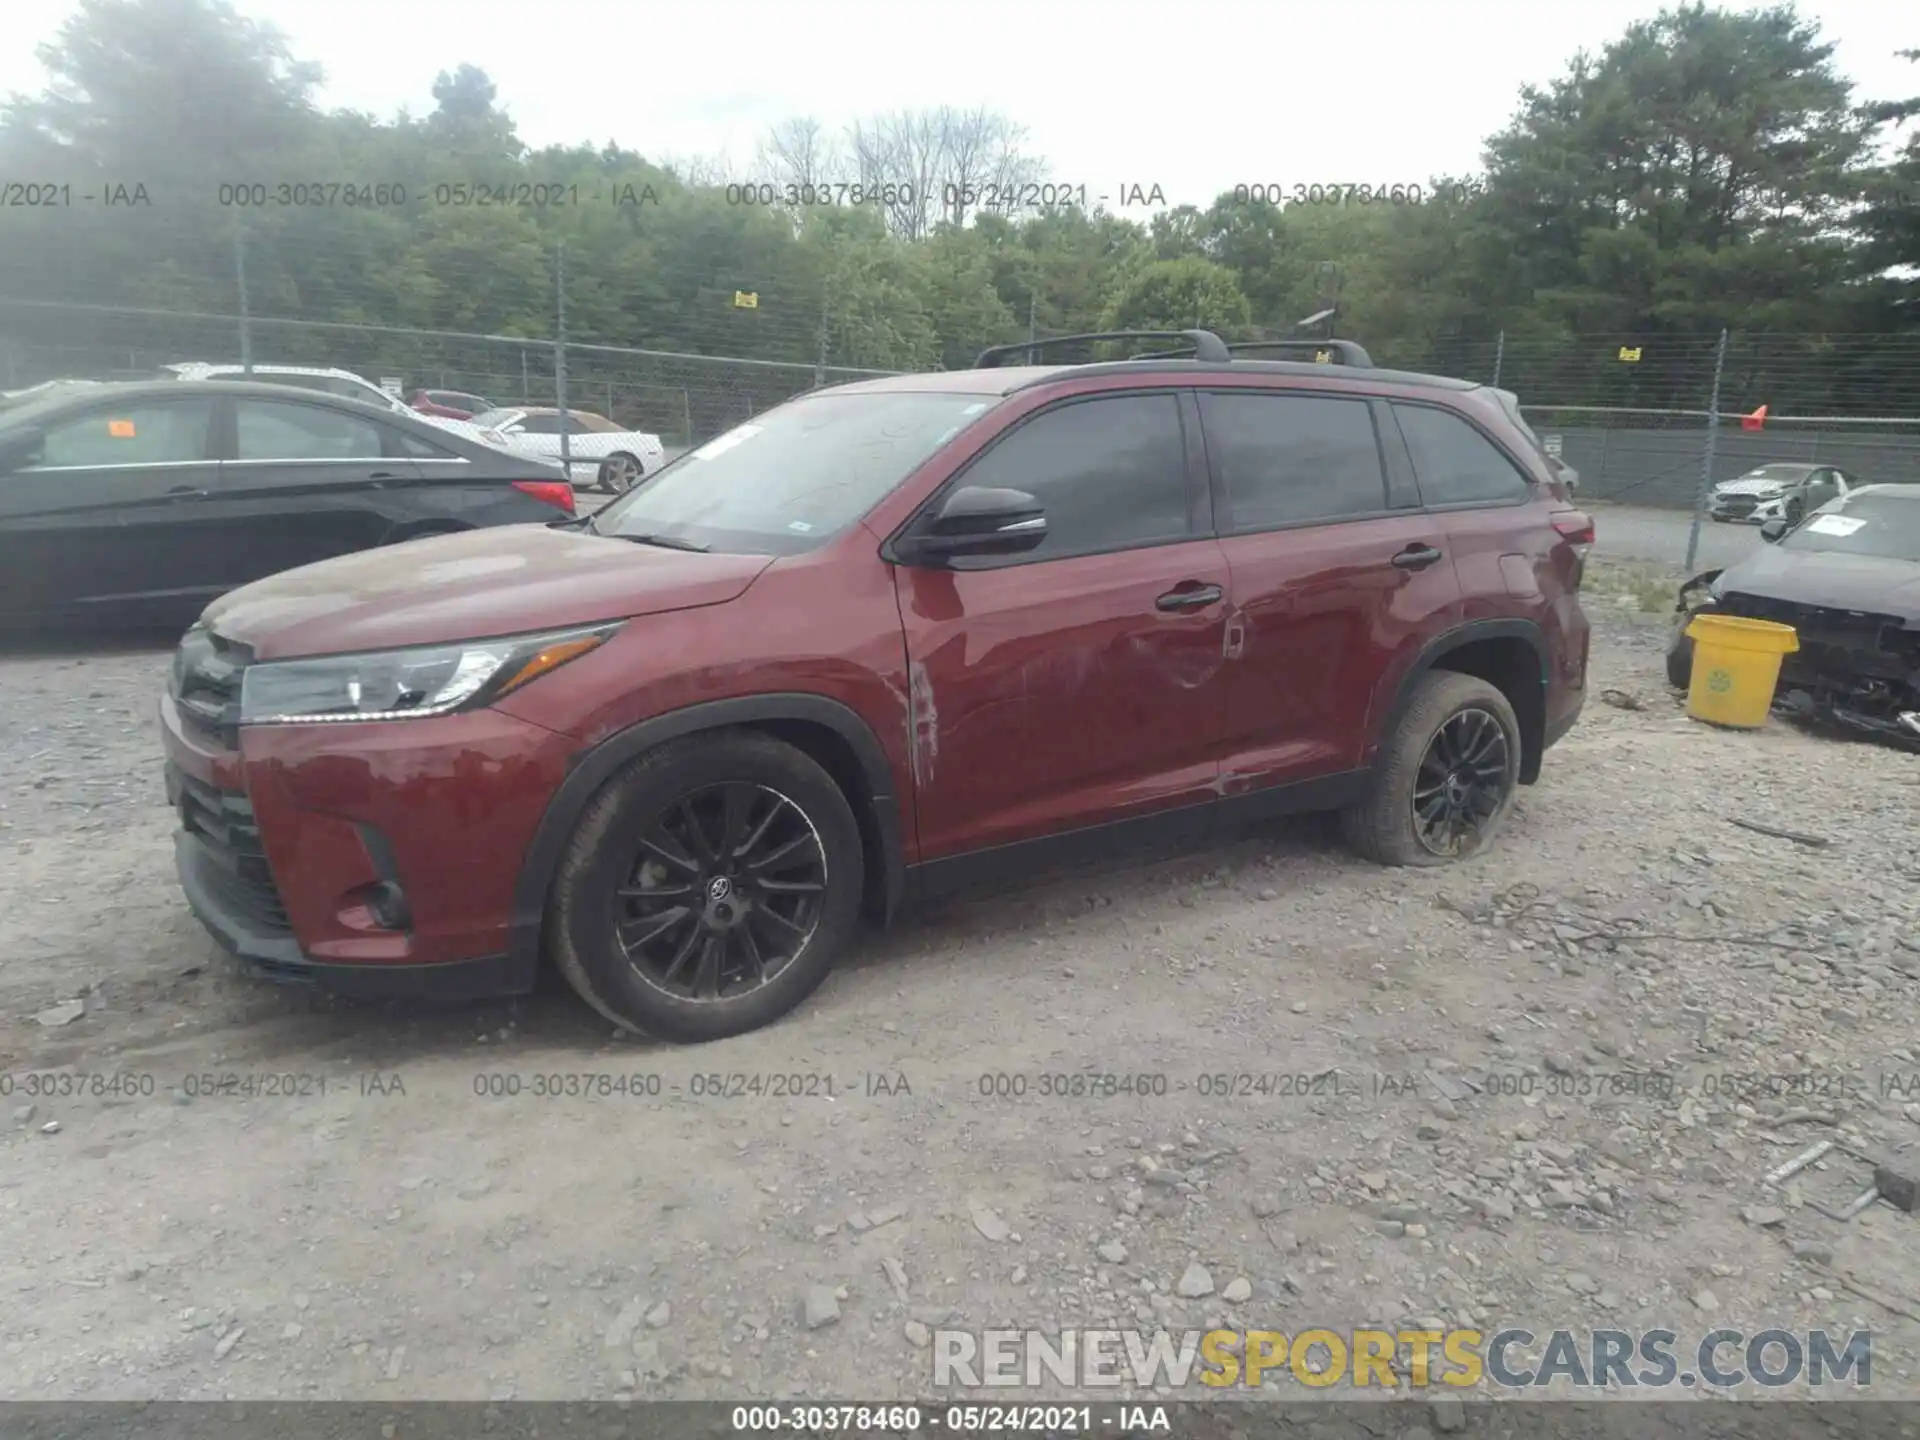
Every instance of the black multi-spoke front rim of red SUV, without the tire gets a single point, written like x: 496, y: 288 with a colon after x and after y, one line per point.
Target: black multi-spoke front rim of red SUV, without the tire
x: 725, y: 892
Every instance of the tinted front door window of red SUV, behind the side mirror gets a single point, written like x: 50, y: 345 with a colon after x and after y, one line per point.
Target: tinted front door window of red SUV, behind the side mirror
x: 1111, y: 473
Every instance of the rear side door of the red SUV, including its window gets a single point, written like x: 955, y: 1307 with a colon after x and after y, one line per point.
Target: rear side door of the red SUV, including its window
x: 1335, y: 575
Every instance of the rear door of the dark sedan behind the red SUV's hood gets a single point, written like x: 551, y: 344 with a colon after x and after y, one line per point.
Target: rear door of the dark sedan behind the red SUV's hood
x: 300, y: 483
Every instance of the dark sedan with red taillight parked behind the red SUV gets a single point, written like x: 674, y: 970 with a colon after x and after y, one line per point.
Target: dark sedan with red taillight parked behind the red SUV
x: 137, y: 504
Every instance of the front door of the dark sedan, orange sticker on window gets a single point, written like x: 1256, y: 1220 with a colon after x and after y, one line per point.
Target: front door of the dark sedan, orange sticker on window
x: 108, y: 519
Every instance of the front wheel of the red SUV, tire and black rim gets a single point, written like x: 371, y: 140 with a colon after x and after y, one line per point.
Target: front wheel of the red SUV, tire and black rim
x: 709, y: 888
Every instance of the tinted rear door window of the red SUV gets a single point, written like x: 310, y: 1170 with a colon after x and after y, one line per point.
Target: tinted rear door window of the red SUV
x: 1295, y: 458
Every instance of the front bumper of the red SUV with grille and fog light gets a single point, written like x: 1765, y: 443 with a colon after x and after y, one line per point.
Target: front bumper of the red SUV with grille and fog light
x: 289, y: 830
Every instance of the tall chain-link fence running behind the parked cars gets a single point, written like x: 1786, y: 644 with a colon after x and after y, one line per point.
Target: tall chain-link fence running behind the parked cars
x: 1644, y: 420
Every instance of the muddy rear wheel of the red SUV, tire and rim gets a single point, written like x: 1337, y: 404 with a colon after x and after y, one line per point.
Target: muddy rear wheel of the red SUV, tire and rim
x: 1447, y: 777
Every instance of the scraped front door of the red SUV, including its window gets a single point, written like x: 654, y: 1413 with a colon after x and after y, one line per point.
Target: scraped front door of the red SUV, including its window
x: 1080, y: 683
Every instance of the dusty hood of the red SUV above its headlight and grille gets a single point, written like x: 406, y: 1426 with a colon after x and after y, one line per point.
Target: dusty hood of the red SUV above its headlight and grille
x: 483, y: 583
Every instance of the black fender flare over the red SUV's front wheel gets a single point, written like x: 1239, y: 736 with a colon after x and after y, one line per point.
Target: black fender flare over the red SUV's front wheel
x: 596, y: 767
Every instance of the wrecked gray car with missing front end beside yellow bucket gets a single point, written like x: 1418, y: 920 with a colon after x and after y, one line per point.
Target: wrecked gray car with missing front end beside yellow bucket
x: 1848, y: 581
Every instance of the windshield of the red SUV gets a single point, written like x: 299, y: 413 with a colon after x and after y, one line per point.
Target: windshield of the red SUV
x: 796, y: 477
